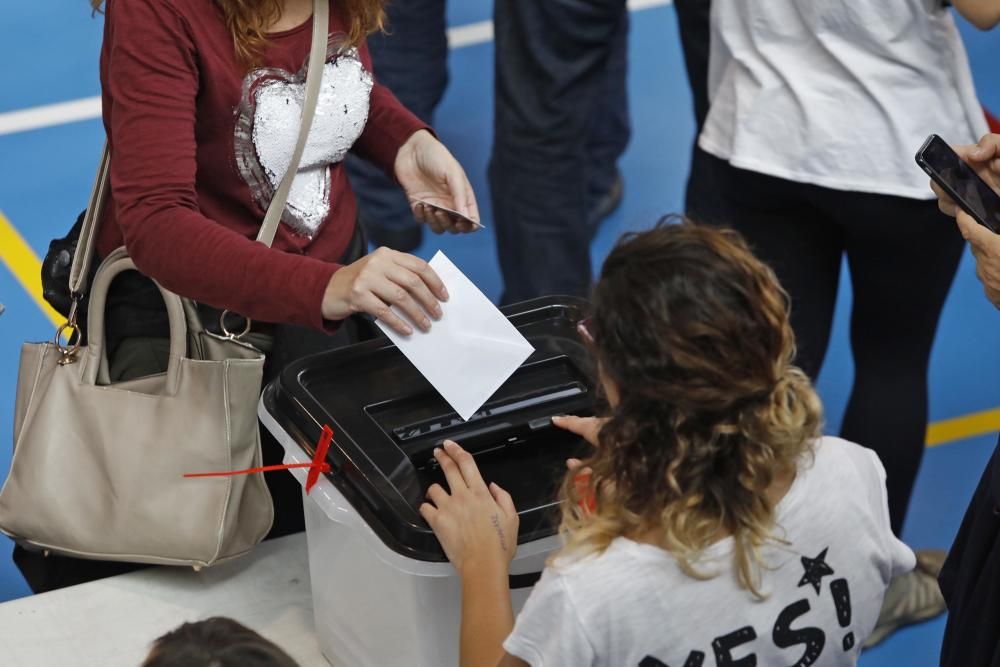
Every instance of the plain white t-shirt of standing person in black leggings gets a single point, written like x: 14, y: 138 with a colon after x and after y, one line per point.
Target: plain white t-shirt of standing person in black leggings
x: 837, y: 93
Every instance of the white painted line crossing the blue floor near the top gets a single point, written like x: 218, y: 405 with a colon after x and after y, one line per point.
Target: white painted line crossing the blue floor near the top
x: 89, y: 108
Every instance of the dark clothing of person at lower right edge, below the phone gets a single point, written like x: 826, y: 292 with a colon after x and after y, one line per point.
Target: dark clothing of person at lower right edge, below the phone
x: 970, y: 579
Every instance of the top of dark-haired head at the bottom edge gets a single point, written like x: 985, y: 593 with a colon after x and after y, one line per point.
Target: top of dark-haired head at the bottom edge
x: 215, y: 642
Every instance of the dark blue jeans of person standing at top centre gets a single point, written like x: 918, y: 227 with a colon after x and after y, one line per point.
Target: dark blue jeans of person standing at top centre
x: 561, y: 123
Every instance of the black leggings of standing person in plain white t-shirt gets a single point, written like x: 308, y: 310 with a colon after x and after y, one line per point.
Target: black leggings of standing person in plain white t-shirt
x: 903, y: 255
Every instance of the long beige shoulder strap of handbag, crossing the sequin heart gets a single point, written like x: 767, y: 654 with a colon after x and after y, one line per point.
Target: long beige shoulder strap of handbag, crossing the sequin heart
x: 84, y: 254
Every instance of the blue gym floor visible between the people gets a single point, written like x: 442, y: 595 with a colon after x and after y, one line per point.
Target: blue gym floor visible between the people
x: 45, y: 176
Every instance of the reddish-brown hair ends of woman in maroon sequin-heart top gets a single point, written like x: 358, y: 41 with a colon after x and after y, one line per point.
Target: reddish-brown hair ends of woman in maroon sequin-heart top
x: 248, y: 20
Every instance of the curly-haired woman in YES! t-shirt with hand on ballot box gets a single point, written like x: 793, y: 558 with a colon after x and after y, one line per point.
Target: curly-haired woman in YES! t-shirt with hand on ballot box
x: 711, y: 524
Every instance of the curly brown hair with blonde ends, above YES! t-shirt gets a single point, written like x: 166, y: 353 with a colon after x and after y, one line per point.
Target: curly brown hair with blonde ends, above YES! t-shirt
x: 693, y: 331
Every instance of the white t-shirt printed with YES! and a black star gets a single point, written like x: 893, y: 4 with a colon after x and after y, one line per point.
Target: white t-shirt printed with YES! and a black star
x: 632, y: 606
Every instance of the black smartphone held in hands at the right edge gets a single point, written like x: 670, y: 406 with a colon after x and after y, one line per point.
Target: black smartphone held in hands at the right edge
x: 960, y: 182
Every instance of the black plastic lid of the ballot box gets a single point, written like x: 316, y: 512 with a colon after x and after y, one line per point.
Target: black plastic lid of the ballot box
x: 387, y: 419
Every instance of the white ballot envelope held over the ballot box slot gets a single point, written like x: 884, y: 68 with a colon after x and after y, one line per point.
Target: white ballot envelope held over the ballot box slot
x: 471, y: 350
